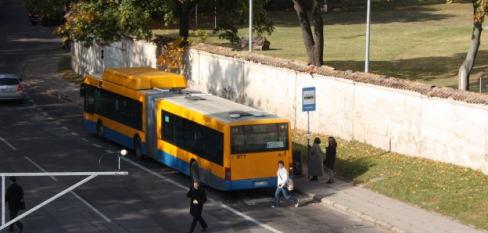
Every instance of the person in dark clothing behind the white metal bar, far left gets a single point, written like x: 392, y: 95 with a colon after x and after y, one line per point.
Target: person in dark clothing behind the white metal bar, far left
x: 14, y: 196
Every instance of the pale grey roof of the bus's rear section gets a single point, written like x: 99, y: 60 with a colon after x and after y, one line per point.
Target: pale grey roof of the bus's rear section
x: 218, y: 108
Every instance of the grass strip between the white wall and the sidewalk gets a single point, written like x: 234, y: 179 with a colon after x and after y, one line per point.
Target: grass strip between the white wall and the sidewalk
x: 447, y: 189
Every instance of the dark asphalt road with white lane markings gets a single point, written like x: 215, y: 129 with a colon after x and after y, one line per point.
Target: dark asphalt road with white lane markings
x: 46, y: 135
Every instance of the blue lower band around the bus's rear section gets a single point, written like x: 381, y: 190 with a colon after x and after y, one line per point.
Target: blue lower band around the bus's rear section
x: 217, y: 182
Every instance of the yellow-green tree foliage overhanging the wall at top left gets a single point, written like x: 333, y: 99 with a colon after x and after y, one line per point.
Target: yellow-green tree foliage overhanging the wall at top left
x: 108, y: 21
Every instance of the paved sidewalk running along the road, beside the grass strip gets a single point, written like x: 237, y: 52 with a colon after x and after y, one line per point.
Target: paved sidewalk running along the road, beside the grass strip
x: 41, y: 72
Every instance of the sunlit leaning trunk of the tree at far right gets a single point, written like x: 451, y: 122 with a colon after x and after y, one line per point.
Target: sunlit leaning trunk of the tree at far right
x: 467, y: 66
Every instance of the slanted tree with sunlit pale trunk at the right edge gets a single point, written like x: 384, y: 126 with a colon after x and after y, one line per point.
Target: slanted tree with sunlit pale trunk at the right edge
x: 479, y: 12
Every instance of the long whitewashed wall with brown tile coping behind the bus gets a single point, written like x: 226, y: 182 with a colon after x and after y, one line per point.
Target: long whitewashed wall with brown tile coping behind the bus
x: 410, y: 118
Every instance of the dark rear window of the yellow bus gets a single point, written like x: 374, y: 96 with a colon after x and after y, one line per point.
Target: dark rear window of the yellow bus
x: 259, y: 138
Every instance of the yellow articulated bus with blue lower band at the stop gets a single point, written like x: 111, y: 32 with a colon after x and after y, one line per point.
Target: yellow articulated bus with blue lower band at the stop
x: 226, y: 145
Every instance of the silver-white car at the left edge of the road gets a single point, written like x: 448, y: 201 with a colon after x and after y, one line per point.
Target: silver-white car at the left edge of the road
x: 10, y: 88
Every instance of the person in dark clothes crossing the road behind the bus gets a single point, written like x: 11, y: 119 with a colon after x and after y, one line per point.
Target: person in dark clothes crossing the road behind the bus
x: 198, y: 197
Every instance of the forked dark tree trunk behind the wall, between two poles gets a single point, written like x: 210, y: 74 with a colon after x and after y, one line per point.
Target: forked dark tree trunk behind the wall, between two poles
x: 314, y: 46
